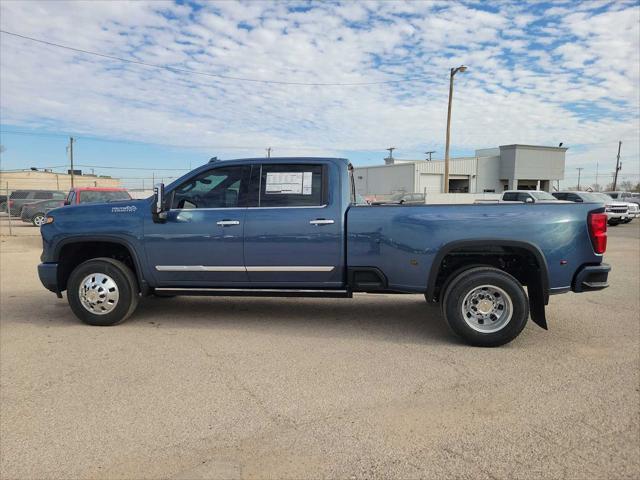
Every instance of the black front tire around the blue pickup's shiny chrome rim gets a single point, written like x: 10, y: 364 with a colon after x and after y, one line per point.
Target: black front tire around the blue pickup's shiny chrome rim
x: 126, y: 284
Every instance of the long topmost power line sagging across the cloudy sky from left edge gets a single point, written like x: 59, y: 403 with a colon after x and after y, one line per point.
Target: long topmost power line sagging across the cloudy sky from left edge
x: 209, y: 74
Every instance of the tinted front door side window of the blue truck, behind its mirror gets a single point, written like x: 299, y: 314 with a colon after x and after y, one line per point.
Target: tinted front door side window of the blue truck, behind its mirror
x: 218, y: 188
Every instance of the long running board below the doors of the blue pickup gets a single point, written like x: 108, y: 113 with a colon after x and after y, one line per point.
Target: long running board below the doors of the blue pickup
x: 255, y: 292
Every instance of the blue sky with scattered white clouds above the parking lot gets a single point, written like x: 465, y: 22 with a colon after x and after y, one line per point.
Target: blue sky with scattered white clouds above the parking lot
x: 229, y: 79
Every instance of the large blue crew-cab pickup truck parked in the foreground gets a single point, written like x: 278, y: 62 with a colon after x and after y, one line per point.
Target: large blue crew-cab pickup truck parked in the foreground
x: 288, y: 227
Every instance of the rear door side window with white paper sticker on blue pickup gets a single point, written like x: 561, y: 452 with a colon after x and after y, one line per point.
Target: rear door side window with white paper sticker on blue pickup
x: 294, y: 185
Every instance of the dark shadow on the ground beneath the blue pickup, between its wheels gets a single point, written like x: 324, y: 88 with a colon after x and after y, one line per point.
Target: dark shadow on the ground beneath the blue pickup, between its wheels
x: 406, y: 319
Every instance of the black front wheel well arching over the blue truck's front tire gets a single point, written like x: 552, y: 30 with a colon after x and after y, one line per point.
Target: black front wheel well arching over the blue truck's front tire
x: 73, y: 254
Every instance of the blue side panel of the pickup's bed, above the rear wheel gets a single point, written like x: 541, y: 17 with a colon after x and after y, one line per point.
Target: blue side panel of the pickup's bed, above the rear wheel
x: 403, y: 241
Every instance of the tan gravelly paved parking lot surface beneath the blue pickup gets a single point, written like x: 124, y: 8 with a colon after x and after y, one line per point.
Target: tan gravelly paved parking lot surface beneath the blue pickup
x: 372, y: 387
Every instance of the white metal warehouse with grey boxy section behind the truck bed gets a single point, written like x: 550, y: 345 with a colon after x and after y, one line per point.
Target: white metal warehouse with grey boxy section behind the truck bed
x: 507, y: 167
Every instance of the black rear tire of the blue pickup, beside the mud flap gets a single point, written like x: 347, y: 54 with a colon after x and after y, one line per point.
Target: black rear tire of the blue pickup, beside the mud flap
x: 471, y: 281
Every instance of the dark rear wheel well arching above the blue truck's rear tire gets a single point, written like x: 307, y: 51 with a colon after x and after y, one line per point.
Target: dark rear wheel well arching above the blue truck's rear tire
x: 519, y: 262
